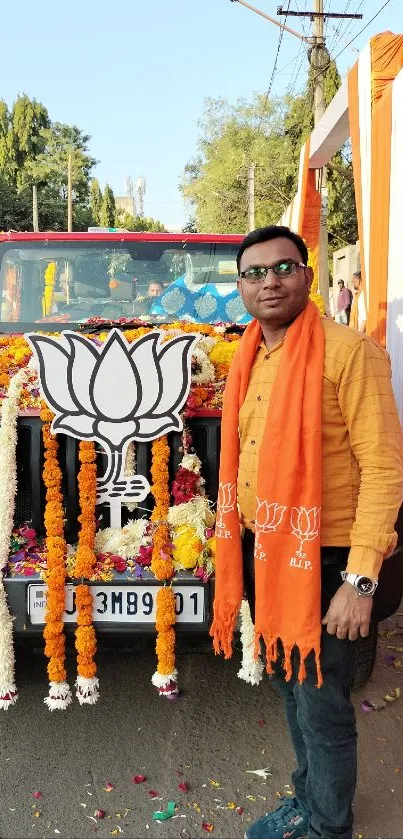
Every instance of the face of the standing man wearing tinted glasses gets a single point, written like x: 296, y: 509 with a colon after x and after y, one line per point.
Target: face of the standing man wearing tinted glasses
x: 275, y: 301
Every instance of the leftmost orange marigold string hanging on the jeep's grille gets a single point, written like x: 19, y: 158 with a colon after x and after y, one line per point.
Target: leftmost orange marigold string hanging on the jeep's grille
x: 59, y: 690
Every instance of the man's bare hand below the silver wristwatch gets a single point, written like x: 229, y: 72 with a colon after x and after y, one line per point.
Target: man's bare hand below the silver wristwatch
x: 349, y: 613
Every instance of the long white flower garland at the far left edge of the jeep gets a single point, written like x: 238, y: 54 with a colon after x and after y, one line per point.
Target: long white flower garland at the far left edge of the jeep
x: 8, y: 489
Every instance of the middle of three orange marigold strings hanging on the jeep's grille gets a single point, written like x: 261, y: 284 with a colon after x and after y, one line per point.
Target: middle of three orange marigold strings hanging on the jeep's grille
x: 87, y: 682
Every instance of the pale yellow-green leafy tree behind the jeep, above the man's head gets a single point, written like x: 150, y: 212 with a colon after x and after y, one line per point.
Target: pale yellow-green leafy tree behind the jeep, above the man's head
x: 215, y: 182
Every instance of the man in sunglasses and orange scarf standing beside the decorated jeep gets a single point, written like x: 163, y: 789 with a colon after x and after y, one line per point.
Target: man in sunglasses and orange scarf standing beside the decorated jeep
x: 311, y: 466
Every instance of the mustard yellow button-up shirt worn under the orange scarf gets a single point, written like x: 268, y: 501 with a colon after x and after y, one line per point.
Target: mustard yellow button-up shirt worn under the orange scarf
x: 362, y: 452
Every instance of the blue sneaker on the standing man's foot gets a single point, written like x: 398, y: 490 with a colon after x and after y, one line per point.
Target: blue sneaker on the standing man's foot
x: 289, y: 821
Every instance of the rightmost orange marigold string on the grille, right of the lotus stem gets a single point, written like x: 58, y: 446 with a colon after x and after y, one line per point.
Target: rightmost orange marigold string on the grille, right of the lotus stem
x: 163, y: 568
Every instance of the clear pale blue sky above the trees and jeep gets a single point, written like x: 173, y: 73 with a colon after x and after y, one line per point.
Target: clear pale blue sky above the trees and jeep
x: 134, y: 75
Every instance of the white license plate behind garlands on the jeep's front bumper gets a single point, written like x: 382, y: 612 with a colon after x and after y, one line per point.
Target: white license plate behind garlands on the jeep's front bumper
x: 122, y: 604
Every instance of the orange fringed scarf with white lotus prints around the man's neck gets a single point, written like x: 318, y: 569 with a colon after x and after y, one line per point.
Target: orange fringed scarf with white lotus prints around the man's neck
x: 289, y: 491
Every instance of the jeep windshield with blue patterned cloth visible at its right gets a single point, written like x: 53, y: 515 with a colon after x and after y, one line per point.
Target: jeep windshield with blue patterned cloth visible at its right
x: 53, y: 282
